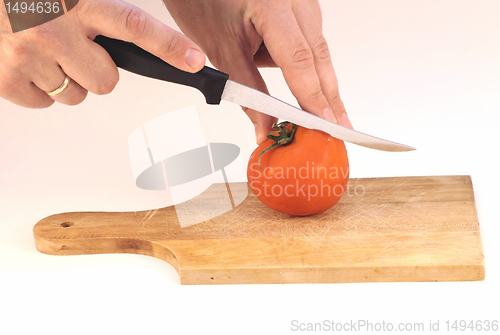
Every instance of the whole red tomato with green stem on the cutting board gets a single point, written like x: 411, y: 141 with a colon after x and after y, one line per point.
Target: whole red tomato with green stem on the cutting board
x: 299, y: 171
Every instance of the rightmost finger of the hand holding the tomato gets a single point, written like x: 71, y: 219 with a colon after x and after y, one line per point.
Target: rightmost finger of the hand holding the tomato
x: 308, y: 14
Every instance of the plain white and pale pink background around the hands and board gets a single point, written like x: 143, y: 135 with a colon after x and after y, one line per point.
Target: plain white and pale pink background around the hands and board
x: 426, y: 73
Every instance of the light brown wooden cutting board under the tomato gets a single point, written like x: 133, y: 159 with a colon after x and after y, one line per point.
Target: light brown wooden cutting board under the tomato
x: 391, y: 229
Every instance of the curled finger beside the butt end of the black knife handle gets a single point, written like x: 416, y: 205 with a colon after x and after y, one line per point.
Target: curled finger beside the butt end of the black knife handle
x: 92, y: 67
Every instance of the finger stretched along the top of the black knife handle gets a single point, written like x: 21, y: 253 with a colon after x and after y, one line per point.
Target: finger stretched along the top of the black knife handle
x: 120, y: 20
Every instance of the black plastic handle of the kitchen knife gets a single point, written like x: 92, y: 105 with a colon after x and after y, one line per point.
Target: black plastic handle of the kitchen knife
x: 130, y: 57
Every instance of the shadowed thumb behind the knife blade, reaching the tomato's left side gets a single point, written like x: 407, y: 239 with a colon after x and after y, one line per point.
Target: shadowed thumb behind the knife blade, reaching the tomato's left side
x: 241, y: 68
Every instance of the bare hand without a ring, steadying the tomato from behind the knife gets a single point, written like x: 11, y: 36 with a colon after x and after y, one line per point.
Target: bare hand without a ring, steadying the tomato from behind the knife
x: 239, y: 36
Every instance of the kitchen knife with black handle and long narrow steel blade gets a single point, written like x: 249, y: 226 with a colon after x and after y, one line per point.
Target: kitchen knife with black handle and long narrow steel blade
x: 216, y: 86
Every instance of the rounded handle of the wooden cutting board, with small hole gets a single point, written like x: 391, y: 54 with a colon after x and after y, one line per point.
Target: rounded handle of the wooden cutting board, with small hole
x: 101, y: 233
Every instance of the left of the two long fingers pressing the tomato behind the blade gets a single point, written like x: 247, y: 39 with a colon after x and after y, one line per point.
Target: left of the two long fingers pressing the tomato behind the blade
x: 291, y: 52
